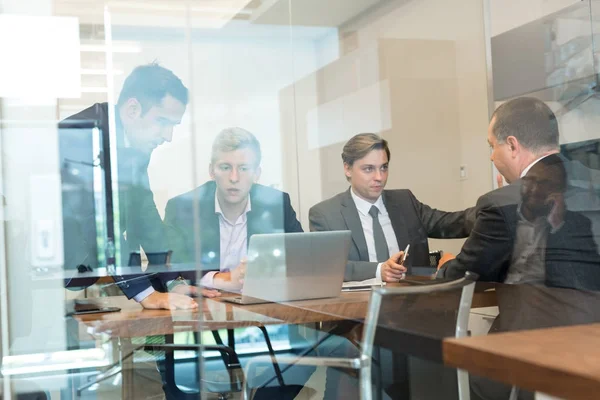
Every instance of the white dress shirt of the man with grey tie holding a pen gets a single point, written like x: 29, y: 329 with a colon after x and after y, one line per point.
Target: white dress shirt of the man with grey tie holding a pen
x: 366, y: 221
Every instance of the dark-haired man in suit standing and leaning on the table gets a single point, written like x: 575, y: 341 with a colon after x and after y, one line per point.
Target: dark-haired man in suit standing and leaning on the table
x: 151, y: 103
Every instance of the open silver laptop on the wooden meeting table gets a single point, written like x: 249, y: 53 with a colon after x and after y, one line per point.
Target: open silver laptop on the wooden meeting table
x: 294, y: 266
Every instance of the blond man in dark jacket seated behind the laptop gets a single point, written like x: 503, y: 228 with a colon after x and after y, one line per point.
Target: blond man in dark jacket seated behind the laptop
x: 230, y: 209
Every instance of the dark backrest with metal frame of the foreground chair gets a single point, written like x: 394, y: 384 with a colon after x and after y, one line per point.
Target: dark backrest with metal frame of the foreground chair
x: 414, y: 320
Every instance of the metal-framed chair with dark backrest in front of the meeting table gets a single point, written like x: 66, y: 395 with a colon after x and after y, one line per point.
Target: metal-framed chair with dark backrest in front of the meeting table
x: 405, y: 316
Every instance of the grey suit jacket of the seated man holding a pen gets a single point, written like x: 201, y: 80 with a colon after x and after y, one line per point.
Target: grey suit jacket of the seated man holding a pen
x: 413, y: 223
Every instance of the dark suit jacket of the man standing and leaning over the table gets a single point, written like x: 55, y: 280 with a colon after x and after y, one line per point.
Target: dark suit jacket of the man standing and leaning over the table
x: 137, y: 211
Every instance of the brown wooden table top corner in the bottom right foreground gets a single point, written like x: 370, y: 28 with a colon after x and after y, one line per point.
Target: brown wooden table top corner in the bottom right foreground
x: 562, y: 361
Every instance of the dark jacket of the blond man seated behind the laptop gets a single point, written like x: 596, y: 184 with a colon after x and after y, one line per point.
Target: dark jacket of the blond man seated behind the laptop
x: 271, y: 212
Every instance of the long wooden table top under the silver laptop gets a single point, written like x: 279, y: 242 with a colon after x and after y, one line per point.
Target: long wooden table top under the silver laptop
x: 134, y: 321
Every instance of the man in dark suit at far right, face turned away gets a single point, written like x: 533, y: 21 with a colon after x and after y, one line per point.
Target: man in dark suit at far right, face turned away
x: 509, y: 241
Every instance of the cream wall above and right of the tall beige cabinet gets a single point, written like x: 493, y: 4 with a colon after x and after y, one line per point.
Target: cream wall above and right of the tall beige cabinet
x: 461, y: 22
